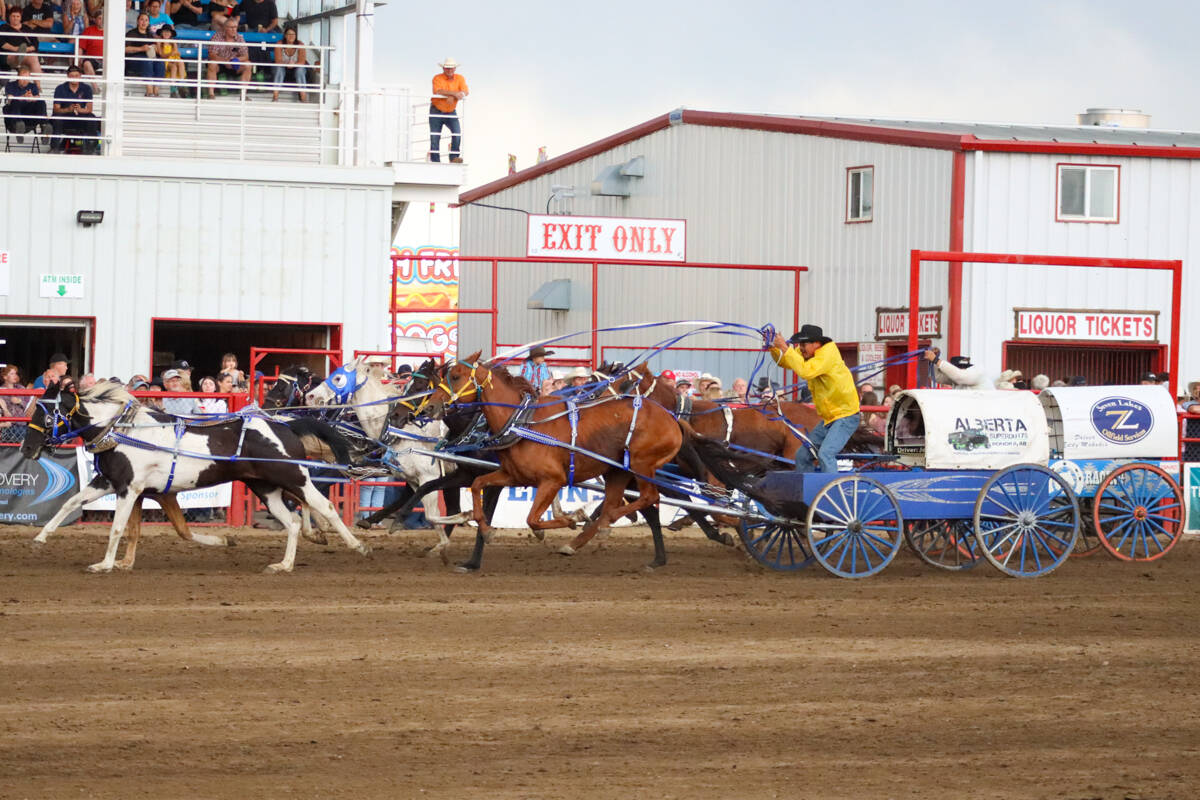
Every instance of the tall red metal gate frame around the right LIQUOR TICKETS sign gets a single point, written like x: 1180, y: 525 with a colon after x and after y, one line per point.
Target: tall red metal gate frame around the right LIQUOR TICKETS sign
x: 920, y: 256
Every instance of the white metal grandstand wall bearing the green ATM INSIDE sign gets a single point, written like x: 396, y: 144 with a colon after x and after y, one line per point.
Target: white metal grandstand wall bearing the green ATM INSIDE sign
x: 224, y: 249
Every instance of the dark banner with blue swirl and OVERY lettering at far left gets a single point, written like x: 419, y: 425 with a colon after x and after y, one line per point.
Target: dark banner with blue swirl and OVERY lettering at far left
x: 33, y: 491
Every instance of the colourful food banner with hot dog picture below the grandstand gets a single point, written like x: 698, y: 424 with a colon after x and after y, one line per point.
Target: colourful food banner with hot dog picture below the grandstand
x: 428, y: 280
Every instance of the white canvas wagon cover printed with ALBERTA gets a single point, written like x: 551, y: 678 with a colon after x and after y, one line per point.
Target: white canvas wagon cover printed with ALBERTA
x: 970, y: 430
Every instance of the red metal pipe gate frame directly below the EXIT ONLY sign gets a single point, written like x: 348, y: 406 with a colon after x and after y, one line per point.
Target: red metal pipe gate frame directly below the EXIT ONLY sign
x: 494, y: 310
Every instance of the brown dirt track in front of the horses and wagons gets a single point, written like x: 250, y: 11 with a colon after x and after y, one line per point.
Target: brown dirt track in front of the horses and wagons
x: 197, y: 677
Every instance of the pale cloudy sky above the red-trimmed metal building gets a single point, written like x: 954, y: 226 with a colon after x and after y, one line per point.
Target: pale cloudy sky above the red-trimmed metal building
x: 563, y: 75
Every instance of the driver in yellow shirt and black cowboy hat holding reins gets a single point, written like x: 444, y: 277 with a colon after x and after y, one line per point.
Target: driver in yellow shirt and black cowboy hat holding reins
x: 817, y: 359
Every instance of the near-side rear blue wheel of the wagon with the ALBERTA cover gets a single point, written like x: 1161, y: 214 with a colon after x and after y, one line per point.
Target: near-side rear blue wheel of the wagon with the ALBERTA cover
x: 1027, y: 521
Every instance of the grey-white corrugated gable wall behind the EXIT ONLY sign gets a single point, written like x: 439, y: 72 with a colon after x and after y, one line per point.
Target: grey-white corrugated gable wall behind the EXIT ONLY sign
x: 749, y: 197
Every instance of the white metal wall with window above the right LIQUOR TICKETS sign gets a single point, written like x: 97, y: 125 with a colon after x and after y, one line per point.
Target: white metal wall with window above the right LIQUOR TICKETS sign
x: 1011, y: 208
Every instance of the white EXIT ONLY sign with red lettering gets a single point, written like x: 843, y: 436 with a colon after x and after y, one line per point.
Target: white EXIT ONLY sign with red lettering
x: 598, y: 239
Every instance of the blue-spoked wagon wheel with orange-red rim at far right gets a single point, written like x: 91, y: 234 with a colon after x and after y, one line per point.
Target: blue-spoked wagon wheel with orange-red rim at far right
x: 1139, y: 513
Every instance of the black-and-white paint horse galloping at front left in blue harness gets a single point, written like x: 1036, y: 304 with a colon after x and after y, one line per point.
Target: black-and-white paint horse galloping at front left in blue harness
x: 141, y: 453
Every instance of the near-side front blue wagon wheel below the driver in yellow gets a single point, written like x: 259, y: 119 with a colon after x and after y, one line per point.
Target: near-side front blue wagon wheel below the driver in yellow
x: 855, y: 527
